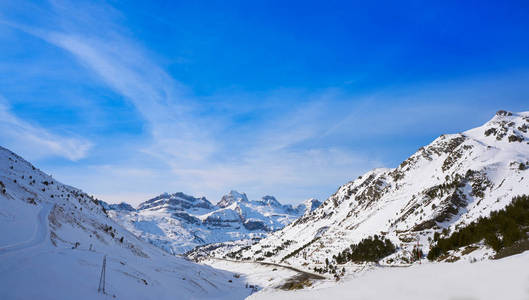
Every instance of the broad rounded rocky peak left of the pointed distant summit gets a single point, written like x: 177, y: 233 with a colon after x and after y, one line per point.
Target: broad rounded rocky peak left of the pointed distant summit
x: 176, y: 201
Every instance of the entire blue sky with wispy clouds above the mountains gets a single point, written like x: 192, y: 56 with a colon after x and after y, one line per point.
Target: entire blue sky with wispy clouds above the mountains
x: 128, y: 99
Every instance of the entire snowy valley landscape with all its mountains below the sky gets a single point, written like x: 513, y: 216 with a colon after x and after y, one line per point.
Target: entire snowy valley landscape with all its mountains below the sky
x: 55, y: 237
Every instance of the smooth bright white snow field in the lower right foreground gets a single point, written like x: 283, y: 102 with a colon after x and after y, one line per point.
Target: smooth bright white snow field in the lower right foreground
x: 507, y: 278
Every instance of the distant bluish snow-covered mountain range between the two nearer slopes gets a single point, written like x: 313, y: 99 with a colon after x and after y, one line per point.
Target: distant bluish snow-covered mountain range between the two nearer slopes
x: 178, y: 222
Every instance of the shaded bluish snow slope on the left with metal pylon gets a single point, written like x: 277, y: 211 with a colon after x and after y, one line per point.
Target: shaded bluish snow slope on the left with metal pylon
x: 53, y: 239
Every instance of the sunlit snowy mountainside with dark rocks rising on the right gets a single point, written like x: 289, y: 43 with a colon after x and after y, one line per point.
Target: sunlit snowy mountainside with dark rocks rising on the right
x: 445, y: 185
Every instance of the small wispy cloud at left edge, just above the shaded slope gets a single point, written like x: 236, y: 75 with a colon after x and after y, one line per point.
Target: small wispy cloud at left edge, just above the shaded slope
x: 35, y: 142
